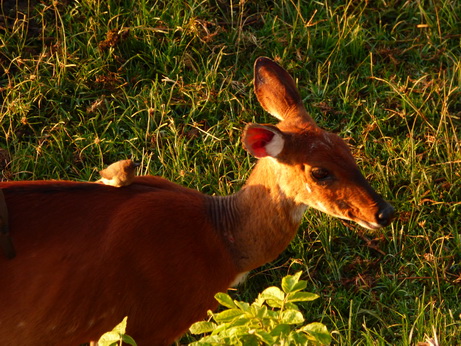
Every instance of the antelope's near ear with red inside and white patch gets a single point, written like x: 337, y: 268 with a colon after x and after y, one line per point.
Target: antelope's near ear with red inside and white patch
x: 263, y: 140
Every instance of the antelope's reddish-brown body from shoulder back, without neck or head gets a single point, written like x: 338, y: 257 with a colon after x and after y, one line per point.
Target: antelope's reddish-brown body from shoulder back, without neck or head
x: 80, y: 270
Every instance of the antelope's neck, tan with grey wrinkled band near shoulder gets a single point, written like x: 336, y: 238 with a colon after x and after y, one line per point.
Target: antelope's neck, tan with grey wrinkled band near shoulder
x: 259, y: 221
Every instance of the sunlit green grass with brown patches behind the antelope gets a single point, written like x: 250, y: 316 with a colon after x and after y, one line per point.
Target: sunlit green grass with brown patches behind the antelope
x: 85, y: 83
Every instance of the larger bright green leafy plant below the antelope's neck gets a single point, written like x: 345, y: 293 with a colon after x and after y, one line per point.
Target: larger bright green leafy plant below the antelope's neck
x: 273, y: 318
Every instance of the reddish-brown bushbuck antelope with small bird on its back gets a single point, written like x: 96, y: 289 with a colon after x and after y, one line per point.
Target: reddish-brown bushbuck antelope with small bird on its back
x: 87, y: 254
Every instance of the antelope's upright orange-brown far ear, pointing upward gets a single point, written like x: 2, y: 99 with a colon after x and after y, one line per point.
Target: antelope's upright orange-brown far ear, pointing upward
x: 277, y: 92
